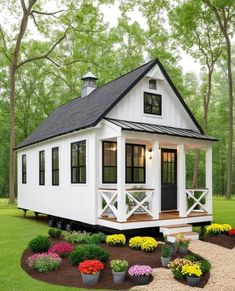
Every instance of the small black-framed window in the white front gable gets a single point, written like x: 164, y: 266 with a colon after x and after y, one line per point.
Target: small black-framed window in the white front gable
x: 152, y: 103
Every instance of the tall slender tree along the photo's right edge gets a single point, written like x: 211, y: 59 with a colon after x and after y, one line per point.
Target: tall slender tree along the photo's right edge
x: 224, y: 12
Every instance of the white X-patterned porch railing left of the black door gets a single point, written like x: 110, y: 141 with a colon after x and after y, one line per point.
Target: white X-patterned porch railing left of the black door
x: 137, y: 201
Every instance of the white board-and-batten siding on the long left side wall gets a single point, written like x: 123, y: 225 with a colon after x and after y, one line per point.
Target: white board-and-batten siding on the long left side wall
x: 67, y: 200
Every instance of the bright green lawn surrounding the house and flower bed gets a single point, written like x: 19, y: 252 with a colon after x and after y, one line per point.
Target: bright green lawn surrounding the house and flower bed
x: 15, y: 233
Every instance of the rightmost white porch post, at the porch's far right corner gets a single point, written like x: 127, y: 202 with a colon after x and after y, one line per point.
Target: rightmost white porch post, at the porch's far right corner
x: 209, y: 179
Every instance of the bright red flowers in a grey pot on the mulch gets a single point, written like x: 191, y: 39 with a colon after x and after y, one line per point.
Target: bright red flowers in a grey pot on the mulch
x: 90, y: 271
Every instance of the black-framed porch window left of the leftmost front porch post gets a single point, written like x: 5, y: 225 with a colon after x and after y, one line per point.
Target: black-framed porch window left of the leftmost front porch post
x: 109, y: 162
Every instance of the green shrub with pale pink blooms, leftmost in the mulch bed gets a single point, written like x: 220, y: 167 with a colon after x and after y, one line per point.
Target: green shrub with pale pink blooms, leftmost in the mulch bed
x: 44, y: 262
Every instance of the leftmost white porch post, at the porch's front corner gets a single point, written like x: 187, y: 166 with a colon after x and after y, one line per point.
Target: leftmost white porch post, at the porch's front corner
x: 121, y: 195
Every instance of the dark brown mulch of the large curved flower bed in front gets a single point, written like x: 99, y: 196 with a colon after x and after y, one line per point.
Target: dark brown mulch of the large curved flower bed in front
x: 68, y: 275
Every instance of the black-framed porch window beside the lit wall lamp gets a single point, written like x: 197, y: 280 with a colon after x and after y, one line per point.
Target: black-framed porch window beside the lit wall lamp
x: 135, y: 163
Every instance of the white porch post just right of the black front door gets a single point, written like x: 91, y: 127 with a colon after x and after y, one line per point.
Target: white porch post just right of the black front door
x: 181, y: 184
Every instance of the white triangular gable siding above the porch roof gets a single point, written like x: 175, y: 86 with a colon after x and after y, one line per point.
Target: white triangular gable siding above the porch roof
x: 173, y: 113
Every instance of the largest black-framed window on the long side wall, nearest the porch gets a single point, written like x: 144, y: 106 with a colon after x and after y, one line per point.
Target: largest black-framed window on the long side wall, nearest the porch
x: 78, y: 162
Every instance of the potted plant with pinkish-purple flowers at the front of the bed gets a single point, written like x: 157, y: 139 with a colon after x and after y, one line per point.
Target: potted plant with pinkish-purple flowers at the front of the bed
x: 140, y: 274
